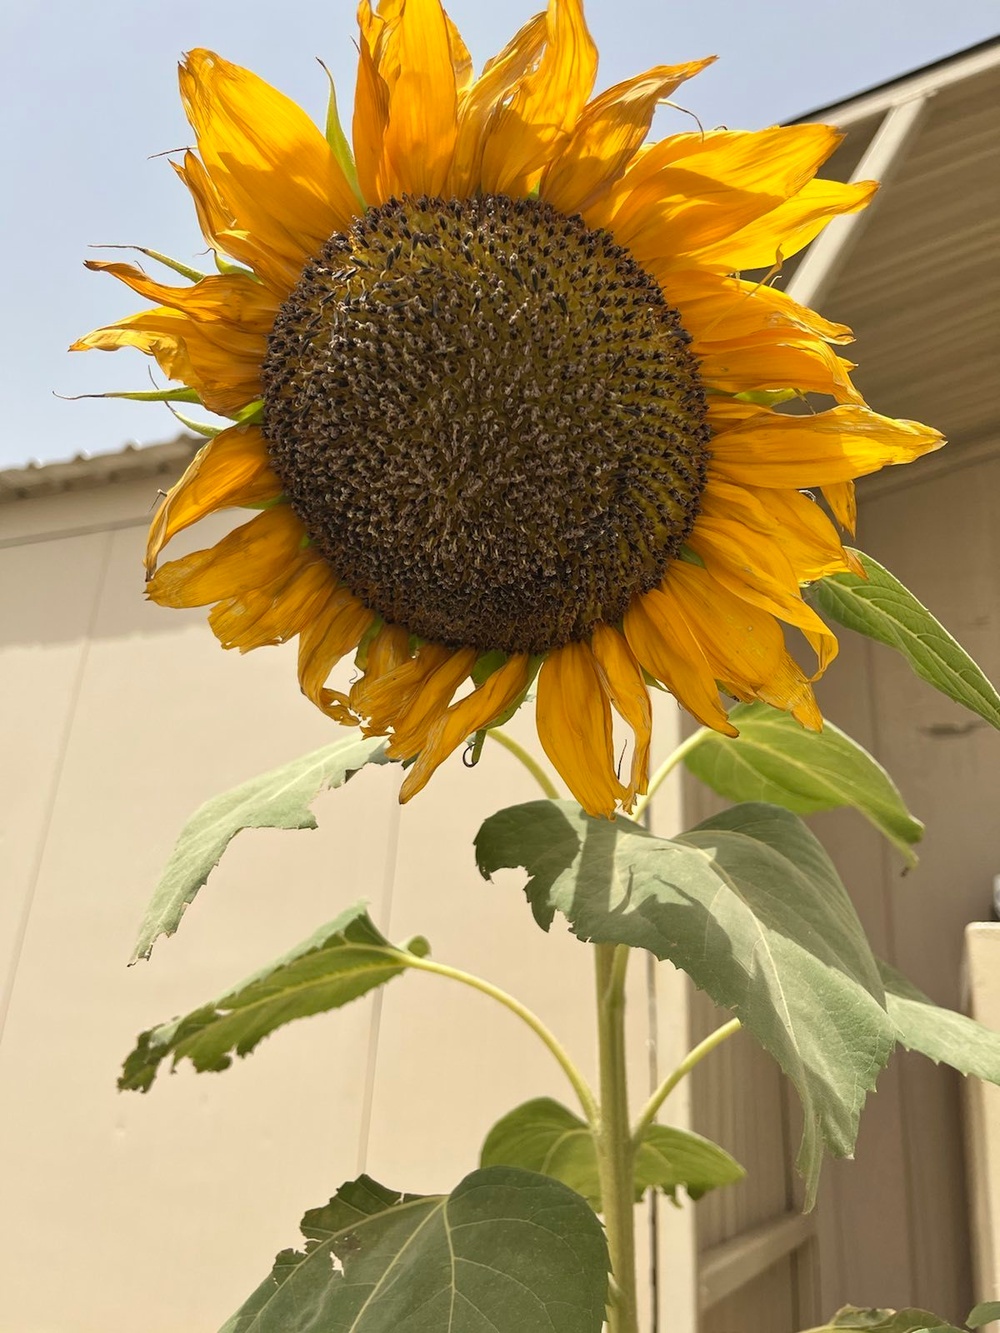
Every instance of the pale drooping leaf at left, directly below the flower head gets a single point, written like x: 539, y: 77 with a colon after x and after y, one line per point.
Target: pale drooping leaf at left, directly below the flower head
x: 275, y: 800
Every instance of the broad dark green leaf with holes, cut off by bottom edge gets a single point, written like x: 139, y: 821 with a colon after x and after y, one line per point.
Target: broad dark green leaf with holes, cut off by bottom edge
x: 507, y: 1252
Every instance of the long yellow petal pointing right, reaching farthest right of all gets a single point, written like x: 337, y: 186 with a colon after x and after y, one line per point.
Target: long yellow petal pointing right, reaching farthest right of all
x: 763, y: 449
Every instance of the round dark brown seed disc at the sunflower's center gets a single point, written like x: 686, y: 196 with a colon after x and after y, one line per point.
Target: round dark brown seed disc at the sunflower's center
x: 489, y: 419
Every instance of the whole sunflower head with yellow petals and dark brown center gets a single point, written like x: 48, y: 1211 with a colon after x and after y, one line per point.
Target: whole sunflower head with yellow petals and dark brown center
x: 506, y: 411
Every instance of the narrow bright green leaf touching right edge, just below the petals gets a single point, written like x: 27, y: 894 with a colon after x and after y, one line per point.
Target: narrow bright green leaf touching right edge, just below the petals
x: 882, y: 609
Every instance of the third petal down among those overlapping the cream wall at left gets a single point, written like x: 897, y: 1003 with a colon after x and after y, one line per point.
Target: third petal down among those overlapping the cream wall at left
x: 274, y: 615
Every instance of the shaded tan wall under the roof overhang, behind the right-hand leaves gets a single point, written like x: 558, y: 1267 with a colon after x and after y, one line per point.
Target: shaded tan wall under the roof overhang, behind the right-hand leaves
x: 937, y: 530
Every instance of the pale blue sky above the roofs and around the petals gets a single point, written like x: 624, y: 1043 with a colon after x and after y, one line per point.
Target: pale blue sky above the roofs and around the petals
x: 89, y: 95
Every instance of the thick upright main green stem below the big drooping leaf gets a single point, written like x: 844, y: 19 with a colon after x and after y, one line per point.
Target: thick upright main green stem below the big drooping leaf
x: 613, y: 1138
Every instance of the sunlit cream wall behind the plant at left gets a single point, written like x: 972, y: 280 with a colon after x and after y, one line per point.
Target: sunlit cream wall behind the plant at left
x: 119, y: 719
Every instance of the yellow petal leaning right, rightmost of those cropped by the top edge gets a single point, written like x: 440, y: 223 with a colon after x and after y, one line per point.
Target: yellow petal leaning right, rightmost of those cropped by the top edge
x: 545, y: 106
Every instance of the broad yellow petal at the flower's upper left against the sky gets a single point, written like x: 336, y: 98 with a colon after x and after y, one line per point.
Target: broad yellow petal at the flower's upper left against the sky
x: 270, y: 165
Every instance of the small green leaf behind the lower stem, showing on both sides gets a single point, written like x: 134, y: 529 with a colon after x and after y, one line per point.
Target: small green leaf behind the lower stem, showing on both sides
x: 545, y: 1136
